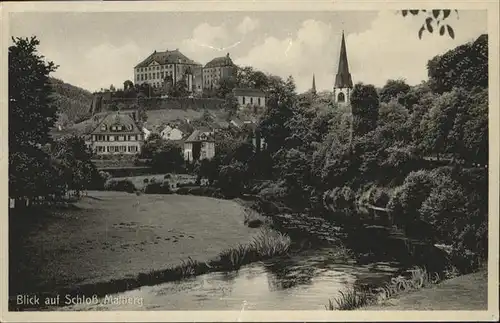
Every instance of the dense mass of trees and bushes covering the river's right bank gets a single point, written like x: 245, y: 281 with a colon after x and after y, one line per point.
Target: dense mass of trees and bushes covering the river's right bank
x: 390, y: 148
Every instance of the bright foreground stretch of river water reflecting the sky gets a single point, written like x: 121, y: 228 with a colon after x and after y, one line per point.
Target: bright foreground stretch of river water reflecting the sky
x: 302, y: 282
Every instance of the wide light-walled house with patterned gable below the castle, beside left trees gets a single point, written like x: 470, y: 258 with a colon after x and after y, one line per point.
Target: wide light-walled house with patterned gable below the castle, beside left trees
x: 117, y: 133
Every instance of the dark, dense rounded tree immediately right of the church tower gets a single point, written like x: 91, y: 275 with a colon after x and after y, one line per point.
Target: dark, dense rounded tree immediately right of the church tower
x: 364, y: 105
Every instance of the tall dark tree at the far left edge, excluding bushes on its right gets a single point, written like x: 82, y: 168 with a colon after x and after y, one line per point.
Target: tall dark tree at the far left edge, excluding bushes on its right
x: 31, y: 115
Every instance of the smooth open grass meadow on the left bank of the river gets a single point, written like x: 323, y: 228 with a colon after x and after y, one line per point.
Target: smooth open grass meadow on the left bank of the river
x: 112, y: 235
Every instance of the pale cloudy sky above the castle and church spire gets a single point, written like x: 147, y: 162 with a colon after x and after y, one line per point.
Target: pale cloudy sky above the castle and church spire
x: 95, y: 50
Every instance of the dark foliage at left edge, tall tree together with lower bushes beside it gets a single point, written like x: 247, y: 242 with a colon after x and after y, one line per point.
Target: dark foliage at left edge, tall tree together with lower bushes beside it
x: 40, y: 170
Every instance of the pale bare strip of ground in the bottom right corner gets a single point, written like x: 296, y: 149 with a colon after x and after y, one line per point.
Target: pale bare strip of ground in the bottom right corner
x: 468, y: 293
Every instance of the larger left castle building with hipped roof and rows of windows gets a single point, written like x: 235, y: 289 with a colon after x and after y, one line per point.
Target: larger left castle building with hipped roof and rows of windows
x: 171, y: 66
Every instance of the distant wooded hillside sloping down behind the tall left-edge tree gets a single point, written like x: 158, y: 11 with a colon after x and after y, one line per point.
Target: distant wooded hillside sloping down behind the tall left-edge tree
x: 73, y: 103
